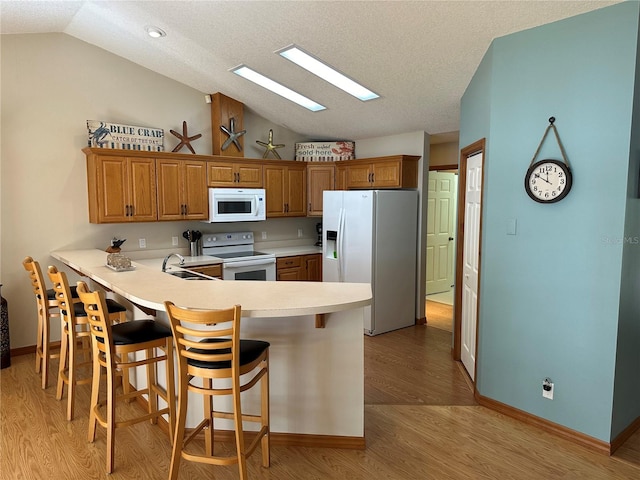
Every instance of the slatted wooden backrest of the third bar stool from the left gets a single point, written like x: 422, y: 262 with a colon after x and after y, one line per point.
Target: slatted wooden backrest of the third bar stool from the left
x: 99, y: 325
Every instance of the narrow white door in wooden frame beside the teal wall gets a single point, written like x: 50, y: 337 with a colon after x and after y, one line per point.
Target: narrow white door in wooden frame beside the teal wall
x: 471, y: 260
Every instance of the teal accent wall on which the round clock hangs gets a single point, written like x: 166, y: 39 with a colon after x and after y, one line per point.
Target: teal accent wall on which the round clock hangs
x: 555, y: 297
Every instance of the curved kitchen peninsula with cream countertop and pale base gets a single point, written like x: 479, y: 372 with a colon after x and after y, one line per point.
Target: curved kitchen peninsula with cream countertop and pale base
x: 316, y: 374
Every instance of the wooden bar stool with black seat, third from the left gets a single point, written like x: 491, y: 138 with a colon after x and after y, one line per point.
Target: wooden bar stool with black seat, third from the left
x: 111, y: 348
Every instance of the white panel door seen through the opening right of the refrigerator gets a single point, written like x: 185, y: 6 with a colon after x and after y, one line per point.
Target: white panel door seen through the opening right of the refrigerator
x: 441, y: 208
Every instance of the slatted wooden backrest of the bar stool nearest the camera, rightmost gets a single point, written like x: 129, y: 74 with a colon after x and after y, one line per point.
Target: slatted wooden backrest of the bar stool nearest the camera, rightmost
x: 195, y: 330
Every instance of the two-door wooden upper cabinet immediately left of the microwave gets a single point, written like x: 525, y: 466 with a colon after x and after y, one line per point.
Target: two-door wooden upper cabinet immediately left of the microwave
x: 182, y: 190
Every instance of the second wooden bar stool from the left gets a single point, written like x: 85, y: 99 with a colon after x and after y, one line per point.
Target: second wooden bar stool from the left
x: 75, y: 341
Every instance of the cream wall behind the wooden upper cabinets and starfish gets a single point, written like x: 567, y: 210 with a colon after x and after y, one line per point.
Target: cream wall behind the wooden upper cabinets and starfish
x: 51, y: 85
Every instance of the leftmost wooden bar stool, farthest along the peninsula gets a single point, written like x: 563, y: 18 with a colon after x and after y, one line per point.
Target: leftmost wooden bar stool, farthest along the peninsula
x: 47, y: 306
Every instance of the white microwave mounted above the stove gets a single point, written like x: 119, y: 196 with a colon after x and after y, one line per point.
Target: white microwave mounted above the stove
x: 237, y: 204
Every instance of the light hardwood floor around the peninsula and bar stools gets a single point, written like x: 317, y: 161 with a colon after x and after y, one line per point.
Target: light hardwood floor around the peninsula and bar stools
x: 421, y: 422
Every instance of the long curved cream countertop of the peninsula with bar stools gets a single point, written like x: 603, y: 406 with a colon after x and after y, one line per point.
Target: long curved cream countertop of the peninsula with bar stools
x: 149, y: 287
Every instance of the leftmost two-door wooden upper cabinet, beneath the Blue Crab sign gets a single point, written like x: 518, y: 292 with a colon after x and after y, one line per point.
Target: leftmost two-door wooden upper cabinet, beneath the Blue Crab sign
x: 122, y: 188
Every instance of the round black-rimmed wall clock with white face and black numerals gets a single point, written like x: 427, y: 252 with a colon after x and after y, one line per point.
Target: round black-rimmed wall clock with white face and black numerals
x: 548, y: 181
